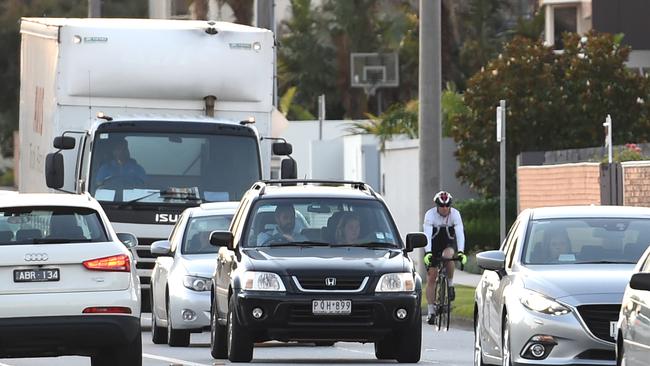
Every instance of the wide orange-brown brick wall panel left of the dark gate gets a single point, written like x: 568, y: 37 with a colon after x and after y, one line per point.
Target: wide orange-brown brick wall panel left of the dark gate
x: 558, y: 185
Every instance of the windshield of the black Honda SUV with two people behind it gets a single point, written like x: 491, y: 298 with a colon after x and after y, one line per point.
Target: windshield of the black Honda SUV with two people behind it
x: 321, y: 222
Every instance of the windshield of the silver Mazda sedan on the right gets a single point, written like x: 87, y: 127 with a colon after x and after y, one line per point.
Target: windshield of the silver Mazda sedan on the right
x: 592, y: 240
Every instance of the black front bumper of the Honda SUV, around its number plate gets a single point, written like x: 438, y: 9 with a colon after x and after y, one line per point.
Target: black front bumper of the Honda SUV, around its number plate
x: 288, y: 317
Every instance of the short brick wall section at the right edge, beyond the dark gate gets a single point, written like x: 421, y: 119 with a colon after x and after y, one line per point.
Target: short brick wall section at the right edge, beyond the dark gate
x: 636, y: 190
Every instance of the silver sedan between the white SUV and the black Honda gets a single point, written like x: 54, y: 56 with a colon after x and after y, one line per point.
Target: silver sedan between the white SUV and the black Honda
x: 181, y: 278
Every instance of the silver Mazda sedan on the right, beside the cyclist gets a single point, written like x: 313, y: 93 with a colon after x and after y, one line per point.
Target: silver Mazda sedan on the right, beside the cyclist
x: 552, y: 294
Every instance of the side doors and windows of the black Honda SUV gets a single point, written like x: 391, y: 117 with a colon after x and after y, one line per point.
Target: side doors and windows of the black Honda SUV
x: 227, y: 261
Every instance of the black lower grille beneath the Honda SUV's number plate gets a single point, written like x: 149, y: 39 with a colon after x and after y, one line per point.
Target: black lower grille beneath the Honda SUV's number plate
x: 361, y: 315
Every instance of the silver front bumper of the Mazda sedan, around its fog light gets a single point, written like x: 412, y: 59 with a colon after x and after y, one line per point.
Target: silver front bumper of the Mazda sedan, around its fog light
x: 574, y: 342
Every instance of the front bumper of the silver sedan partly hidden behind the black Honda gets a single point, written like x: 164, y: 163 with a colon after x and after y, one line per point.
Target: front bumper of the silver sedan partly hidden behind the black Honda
x: 196, y: 302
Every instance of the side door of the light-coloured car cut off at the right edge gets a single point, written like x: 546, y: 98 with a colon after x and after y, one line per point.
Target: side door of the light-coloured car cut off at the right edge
x: 637, y: 345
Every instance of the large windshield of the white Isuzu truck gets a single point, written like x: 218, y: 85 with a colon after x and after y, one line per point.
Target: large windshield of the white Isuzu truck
x: 171, y: 167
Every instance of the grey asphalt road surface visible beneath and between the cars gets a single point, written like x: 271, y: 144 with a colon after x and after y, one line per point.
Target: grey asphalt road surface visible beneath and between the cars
x: 453, y: 348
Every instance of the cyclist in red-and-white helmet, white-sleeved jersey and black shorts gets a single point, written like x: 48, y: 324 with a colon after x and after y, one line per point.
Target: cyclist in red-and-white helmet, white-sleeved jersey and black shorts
x: 443, y: 227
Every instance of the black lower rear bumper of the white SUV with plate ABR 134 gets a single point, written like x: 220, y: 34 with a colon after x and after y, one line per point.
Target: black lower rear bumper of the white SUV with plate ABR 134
x: 65, y: 335
